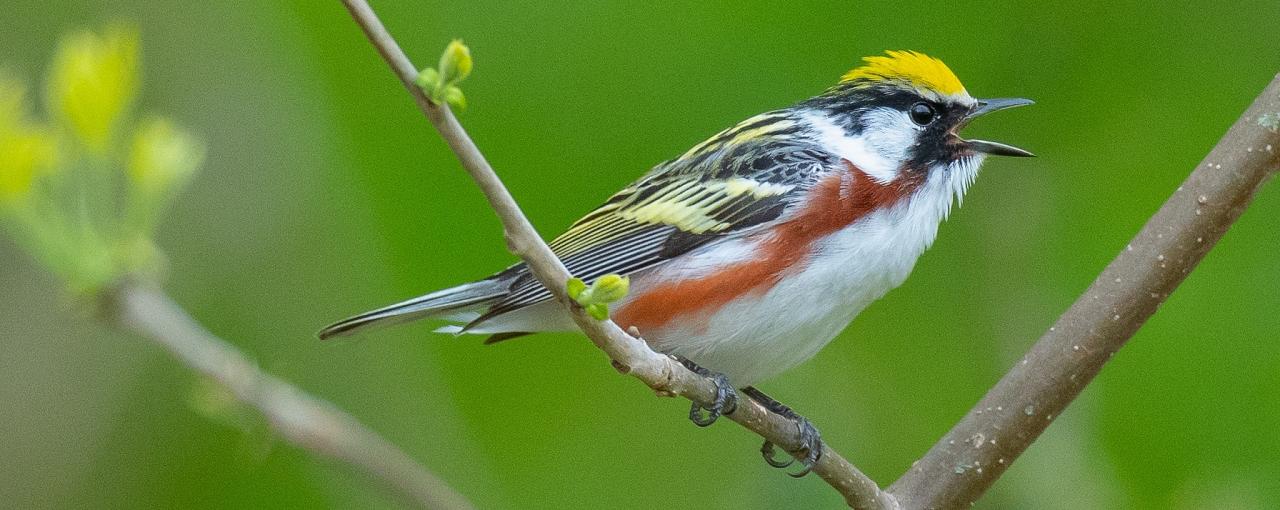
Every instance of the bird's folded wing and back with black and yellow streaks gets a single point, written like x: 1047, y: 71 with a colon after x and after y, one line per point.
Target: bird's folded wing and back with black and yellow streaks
x: 743, y: 179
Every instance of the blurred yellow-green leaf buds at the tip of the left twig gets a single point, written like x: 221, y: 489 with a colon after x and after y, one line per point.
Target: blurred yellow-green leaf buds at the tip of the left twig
x: 79, y: 192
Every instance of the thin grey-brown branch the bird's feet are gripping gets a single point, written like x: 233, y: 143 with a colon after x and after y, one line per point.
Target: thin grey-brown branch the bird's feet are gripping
x: 630, y: 354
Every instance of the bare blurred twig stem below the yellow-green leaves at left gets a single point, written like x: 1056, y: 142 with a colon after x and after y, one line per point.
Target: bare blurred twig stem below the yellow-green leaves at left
x: 305, y: 421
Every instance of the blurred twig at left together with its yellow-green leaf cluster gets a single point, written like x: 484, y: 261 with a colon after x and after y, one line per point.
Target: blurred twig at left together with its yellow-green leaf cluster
x: 84, y: 190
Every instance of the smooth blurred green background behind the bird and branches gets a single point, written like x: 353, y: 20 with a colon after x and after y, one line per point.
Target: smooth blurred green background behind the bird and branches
x: 326, y: 194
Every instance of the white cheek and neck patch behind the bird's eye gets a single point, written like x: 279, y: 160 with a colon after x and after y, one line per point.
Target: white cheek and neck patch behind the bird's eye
x: 879, y: 152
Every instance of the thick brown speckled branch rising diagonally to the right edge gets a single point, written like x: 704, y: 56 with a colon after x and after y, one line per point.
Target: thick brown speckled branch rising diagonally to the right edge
x: 962, y: 466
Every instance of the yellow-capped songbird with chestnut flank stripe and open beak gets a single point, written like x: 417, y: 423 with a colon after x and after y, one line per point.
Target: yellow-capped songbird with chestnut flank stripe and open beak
x: 756, y: 248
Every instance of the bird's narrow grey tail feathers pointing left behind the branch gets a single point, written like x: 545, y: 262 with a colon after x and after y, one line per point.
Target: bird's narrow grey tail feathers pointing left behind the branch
x: 436, y: 304
